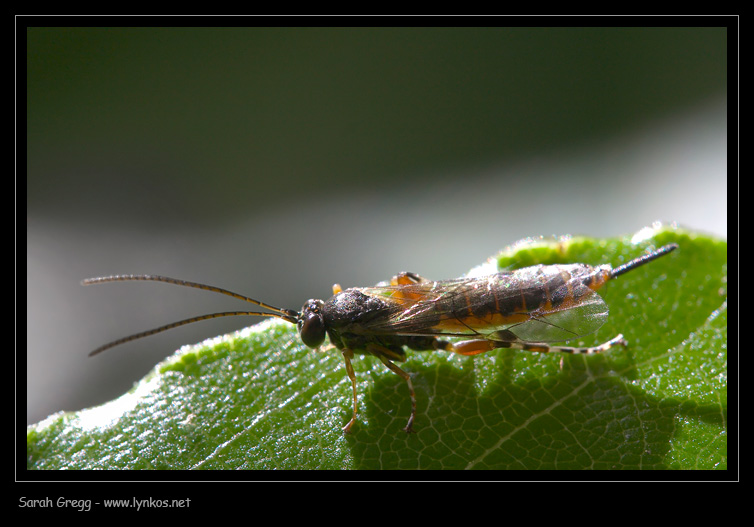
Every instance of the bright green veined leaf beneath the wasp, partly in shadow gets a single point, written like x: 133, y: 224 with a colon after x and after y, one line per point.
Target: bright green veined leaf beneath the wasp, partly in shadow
x: 259, y: 399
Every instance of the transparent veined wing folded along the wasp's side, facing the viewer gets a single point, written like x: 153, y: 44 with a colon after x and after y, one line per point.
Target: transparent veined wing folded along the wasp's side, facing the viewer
x: 446, y: 308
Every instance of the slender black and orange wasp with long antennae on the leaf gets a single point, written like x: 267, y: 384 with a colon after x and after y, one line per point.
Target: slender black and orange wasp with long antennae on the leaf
x: 522, y: 309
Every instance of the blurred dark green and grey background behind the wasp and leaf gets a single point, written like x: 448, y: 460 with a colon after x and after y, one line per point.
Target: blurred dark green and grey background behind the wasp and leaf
x: 278, y: 161
